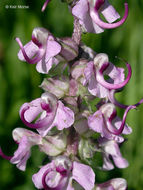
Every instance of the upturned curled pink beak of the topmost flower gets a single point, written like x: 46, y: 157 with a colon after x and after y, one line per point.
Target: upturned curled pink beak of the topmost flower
x: 96, y: 18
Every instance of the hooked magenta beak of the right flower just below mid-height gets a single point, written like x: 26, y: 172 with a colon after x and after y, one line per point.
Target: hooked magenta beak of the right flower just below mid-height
x: 109, y: 125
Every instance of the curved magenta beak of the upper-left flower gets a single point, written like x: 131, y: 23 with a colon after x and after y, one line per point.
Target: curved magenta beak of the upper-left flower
x: 37, y: 57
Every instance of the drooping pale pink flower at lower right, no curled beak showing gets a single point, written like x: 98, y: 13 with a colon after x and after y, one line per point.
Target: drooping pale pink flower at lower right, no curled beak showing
x: 110, y: 149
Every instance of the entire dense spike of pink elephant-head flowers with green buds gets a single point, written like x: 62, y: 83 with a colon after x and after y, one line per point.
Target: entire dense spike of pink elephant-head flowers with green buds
x: 76, y: 117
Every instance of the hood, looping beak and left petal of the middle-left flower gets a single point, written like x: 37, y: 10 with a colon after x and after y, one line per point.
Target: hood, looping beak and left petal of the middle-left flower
x: 47, y: 107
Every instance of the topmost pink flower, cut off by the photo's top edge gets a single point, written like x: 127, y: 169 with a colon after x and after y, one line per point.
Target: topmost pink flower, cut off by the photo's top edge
x: 87, y: 11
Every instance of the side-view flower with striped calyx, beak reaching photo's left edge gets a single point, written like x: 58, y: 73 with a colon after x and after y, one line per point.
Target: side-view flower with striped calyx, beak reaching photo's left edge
x: 50, y: 145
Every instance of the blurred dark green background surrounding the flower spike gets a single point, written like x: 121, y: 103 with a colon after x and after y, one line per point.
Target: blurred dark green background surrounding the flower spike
x: 19, y: 81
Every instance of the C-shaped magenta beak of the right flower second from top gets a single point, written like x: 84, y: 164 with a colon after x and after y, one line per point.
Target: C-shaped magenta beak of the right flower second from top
x: 100, y: 78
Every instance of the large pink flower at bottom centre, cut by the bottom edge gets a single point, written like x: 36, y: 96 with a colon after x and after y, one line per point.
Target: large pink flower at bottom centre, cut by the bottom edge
x: 59, y: 175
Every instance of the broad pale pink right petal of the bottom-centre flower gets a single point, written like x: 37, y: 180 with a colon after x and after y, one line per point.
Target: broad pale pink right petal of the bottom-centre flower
x: 84, y: 175
